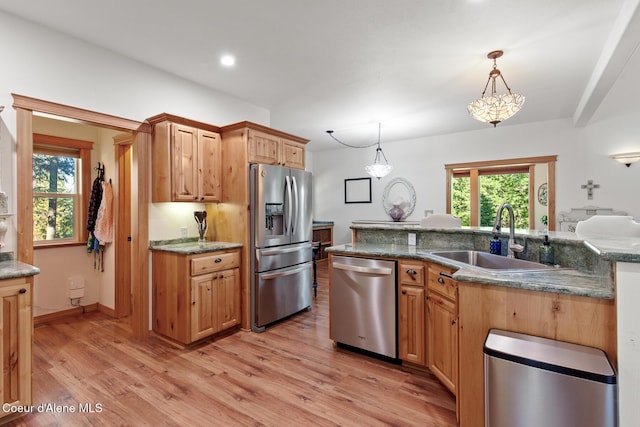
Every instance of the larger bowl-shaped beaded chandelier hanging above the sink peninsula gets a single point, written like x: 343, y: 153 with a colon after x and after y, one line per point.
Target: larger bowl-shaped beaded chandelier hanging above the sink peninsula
x: 495, y: 108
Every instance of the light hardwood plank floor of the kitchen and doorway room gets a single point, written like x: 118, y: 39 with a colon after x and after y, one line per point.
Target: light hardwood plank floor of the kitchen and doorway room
x: 290, y: 375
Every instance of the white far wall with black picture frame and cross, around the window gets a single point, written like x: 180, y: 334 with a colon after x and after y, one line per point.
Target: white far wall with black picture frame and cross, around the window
x: 583, y: 153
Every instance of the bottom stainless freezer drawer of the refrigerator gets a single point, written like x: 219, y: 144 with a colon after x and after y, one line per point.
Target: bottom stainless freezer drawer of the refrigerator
x: 280, y: 293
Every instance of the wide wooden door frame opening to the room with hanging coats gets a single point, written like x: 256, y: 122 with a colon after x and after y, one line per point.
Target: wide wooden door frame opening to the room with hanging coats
x: 139, y: 209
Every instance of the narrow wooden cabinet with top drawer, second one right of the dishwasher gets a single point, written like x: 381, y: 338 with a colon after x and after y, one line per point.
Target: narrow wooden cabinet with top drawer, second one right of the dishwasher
x: 442, y: 321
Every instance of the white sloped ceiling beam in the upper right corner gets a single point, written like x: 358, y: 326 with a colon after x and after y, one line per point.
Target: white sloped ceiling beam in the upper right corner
x: 623, y: 41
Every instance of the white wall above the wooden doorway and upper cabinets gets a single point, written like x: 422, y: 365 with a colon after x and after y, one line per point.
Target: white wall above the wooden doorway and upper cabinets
x: 47, y: 65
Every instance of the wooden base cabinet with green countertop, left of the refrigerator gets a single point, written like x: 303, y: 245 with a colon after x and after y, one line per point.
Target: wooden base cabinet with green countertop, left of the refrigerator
x: 195, y: 296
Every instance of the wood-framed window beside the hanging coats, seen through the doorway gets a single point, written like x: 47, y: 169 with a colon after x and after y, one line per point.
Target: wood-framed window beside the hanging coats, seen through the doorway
x: 61, y: 178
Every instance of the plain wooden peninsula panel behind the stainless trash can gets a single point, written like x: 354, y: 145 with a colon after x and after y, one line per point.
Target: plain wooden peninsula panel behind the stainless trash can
x: 576, y: 319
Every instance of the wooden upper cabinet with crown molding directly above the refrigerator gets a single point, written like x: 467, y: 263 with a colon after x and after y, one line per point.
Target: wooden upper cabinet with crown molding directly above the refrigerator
x: 269, y: 146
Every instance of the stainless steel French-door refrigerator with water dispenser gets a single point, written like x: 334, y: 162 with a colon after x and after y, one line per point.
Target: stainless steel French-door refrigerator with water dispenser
x: 281, y: 252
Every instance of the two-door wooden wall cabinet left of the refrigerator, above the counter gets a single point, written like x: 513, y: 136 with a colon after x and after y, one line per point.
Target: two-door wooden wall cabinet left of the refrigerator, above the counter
x: 186, y: 160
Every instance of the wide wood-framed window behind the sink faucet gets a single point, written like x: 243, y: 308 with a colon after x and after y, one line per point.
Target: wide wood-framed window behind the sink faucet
x: 476, y: 190
